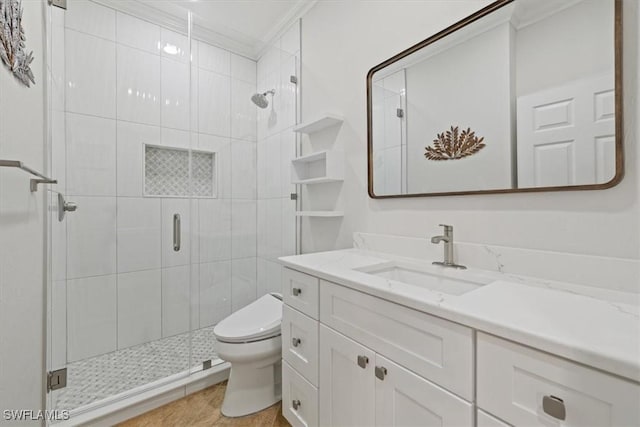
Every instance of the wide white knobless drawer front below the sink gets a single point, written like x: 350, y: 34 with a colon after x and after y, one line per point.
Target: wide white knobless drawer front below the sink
x: 435, y: 349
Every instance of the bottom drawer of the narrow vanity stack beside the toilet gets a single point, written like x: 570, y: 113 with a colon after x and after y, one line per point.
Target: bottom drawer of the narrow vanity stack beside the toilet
x: 299, y: 398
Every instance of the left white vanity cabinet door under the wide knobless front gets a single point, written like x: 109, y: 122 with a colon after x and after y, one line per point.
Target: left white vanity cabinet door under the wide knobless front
x: 347, y: 382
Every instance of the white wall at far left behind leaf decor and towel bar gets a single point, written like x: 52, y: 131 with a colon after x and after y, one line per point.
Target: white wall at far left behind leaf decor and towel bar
x: 22, y: 231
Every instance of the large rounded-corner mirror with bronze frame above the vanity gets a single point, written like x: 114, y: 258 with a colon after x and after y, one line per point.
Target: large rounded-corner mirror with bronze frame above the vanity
x: 524, y: 95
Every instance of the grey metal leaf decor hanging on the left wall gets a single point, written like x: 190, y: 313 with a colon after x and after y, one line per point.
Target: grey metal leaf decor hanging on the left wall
x: 12, y: 38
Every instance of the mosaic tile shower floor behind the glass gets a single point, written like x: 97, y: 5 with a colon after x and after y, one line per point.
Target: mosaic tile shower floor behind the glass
x: 91, y: 380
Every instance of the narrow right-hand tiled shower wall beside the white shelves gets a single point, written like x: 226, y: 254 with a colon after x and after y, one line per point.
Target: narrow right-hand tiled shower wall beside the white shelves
x: 276, y: 148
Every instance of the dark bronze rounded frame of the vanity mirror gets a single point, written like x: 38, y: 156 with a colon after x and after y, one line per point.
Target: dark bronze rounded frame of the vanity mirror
x: 462, y: 23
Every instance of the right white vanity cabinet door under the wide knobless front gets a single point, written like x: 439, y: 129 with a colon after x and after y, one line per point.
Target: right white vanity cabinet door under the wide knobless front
x: 405, y: 399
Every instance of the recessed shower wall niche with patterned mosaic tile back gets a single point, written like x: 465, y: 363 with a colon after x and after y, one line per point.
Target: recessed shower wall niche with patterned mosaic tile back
x: 178, y: 172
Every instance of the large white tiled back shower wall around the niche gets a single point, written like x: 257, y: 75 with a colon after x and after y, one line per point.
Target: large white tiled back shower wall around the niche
x: 116, y: 280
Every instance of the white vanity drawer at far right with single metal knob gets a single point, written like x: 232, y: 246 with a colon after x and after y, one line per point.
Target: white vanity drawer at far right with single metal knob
x: 527, y: 387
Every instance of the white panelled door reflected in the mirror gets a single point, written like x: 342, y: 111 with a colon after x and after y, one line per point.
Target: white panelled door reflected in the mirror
x: 566, y: 135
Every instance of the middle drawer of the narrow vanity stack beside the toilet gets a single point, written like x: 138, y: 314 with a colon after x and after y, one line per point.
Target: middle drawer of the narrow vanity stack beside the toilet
x: 300, y: 343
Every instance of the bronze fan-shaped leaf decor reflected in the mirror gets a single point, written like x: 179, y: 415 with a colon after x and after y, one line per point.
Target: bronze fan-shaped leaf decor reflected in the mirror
x: 453, y: 144
